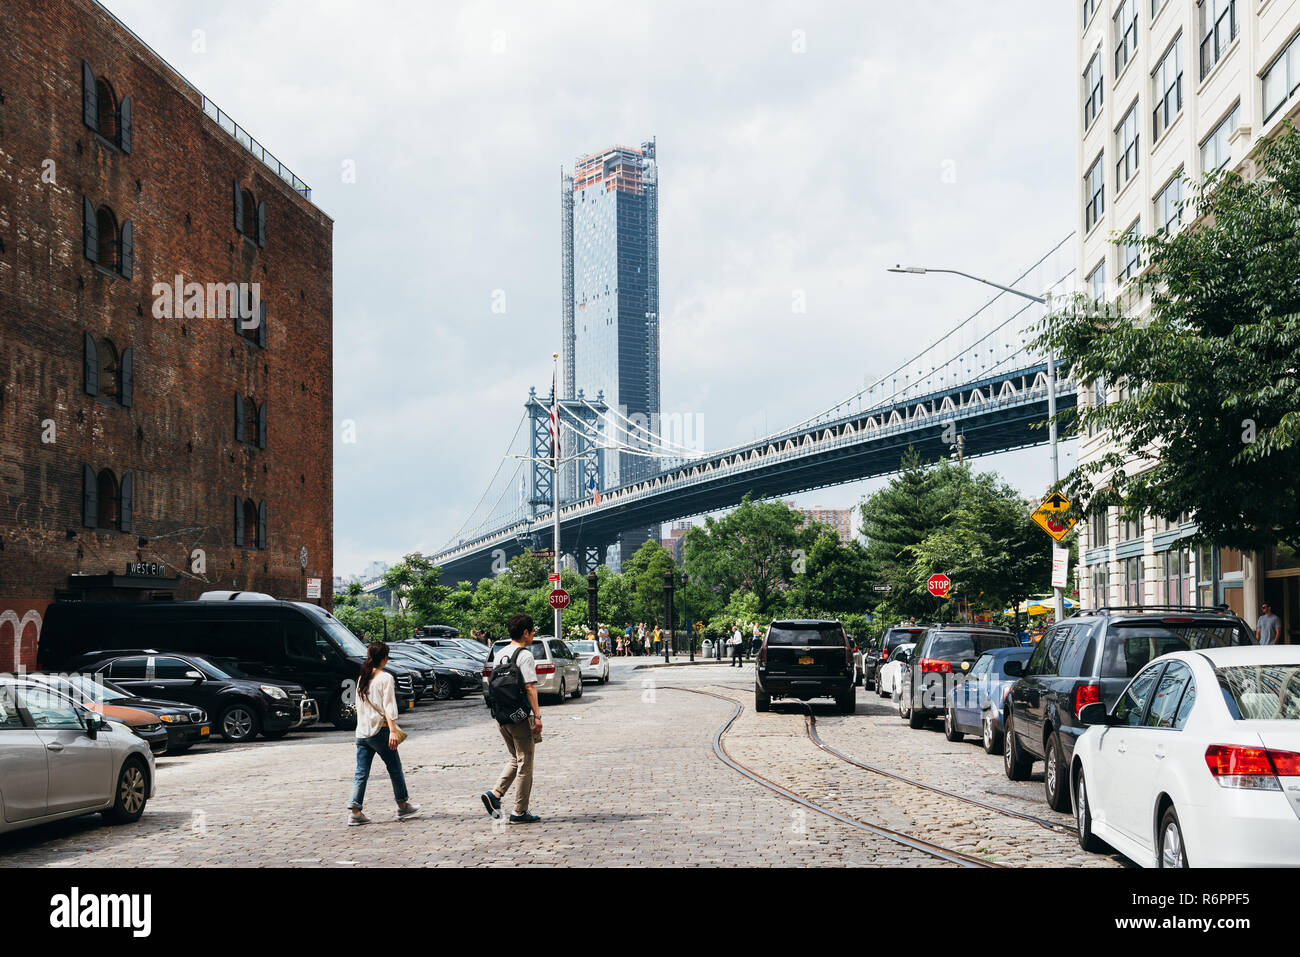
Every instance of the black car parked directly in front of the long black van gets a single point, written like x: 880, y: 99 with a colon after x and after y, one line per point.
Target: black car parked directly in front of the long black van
x: 244, y: 708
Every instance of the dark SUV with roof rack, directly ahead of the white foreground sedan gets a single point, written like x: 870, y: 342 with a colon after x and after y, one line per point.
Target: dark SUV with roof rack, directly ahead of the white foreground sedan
x: 1091, y: 657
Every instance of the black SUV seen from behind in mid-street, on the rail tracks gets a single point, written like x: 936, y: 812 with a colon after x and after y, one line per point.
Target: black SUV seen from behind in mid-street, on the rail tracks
x: 805, y: 659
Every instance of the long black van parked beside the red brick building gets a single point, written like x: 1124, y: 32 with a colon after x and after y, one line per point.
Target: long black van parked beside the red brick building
x: 262, y: 636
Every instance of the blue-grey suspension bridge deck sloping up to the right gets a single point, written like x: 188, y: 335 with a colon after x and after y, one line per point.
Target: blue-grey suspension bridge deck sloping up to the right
x: 995, y: 415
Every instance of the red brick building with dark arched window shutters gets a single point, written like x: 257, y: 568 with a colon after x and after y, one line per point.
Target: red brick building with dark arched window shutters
x: 151, y: 448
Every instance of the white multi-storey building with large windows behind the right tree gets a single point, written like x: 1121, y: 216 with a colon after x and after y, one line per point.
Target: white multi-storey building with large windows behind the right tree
x: 1172, y: 89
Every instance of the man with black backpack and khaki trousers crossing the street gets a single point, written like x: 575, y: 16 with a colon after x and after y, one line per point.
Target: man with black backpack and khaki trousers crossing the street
x: 519, y: 720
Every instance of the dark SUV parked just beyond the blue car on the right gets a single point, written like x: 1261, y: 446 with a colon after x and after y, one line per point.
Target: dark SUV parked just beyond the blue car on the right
x: 939, y: 660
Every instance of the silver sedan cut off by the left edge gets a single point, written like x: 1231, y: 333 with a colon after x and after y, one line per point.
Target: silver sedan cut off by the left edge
x: 59, y: 760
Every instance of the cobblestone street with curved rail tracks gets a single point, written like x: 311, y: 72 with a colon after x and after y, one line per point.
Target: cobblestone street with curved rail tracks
x: 626, y: 776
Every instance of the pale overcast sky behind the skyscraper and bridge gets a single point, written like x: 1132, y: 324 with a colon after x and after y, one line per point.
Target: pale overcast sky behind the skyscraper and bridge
x: 803, y: 148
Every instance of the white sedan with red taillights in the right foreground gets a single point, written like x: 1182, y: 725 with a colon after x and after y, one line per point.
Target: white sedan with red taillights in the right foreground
x: 1198, y: 764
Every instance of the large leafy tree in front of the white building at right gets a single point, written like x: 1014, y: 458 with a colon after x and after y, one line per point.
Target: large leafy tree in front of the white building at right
x: 1208, y: 418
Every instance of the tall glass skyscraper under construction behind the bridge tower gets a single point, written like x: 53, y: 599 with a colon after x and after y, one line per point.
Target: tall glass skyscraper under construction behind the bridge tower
x: 610, y: 293
